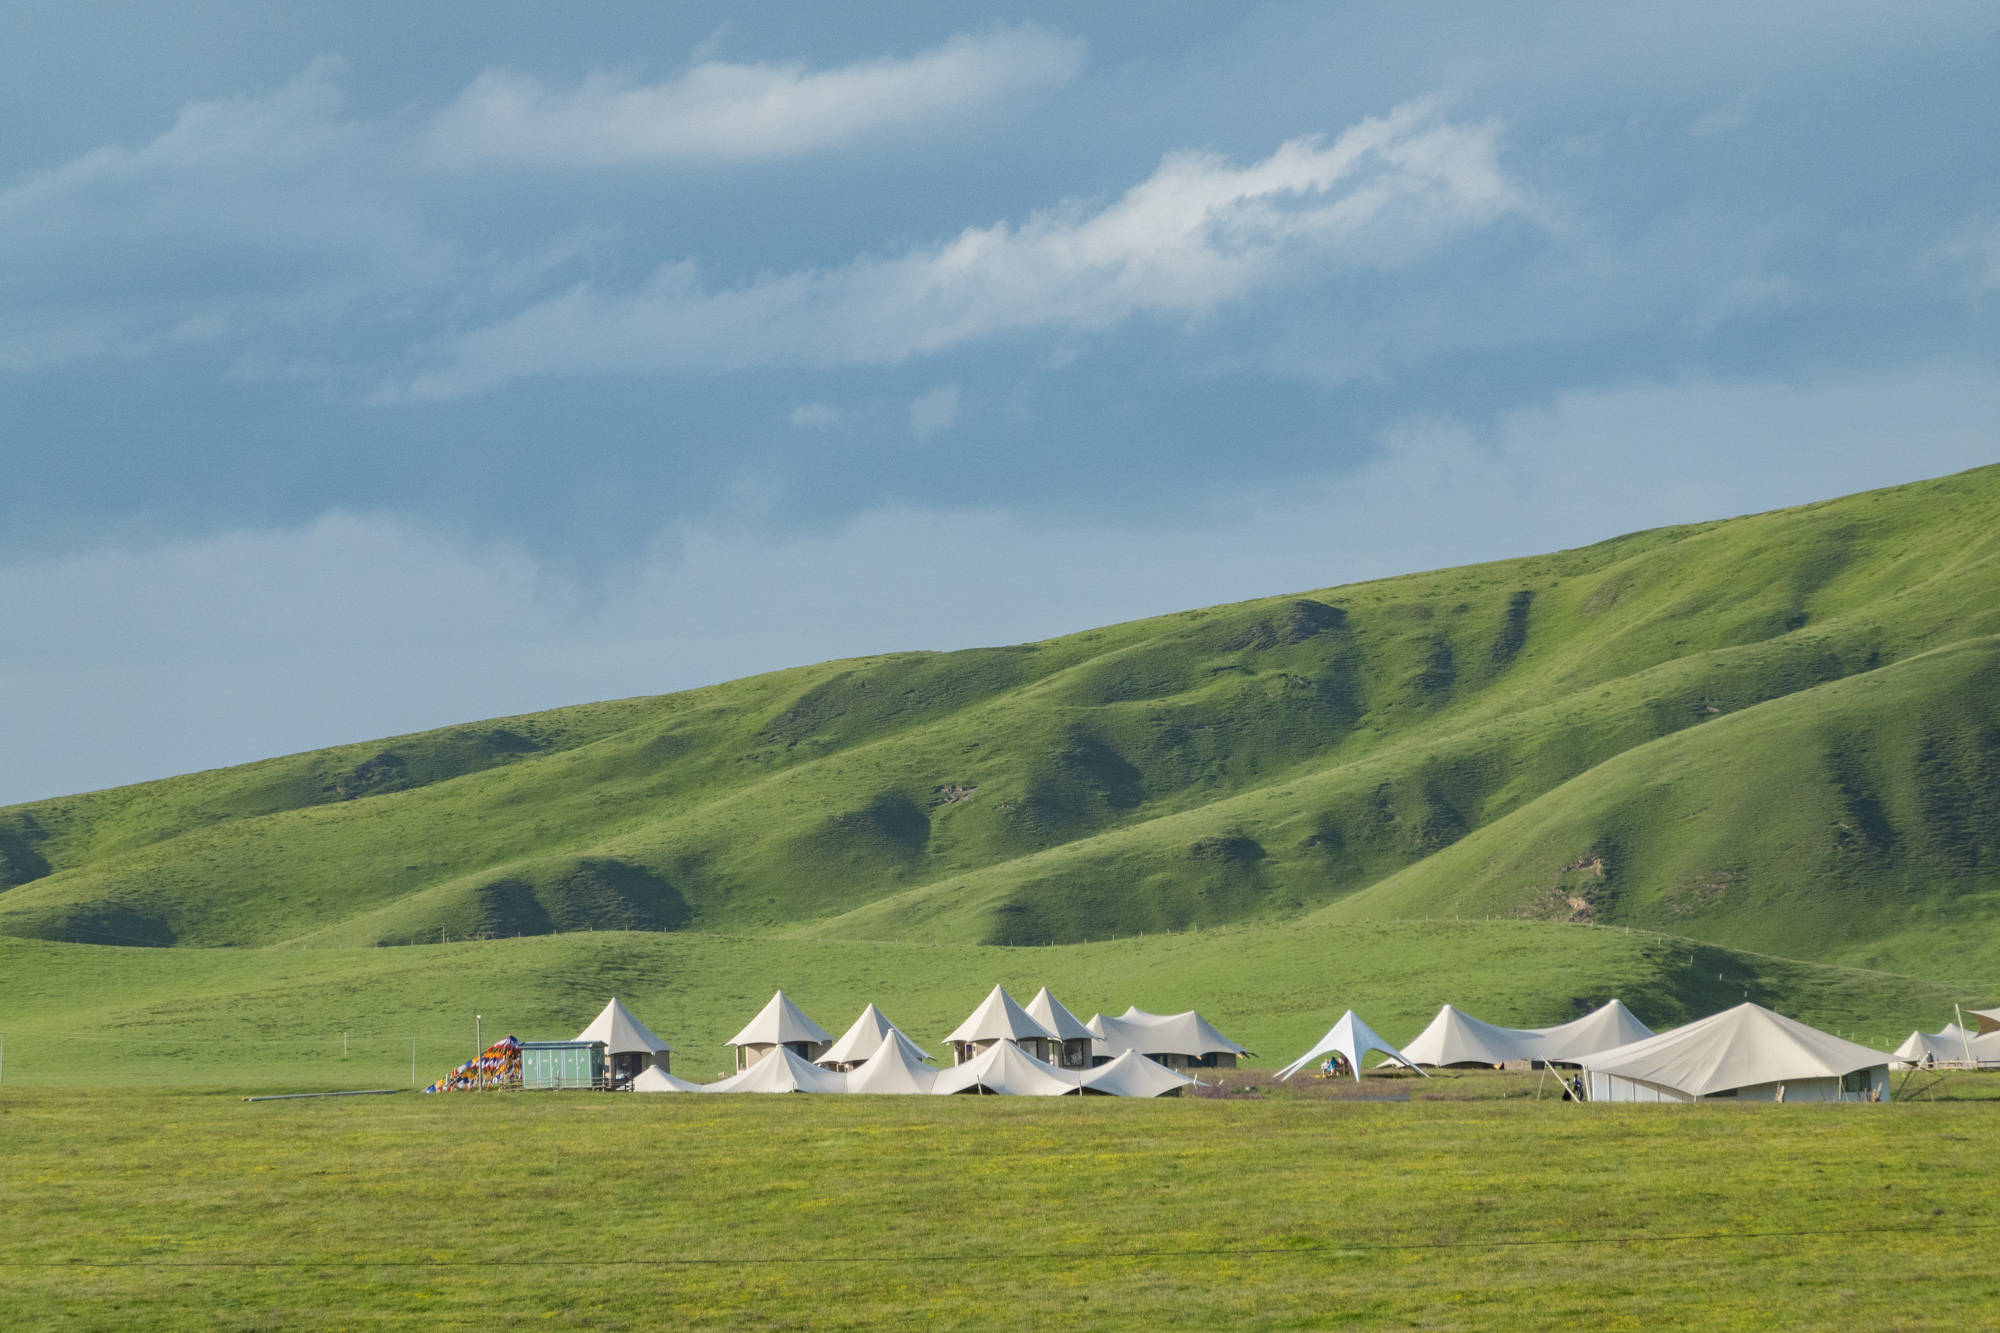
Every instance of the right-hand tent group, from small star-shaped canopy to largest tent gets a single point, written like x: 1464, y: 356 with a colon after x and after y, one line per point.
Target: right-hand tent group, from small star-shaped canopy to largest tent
x: 1747, y: 1054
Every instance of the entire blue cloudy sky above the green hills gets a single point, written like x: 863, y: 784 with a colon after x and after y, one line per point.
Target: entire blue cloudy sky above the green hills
x: 367, y: 369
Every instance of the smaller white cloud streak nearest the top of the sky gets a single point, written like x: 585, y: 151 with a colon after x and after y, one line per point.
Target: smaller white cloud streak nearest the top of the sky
x: 725, y: 113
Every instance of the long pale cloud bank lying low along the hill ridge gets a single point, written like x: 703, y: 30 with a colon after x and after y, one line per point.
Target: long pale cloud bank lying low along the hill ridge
x: 261, y: 643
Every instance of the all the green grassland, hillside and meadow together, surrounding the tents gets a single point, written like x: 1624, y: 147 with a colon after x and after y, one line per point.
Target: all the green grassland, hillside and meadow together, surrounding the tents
x: 1753, y: 760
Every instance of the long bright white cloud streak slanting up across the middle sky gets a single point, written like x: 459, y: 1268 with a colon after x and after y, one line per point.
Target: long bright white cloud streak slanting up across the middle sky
x: 1191, y: 237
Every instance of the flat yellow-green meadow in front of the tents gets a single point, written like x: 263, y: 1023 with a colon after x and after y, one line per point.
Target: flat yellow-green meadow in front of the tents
x: 149, y: 1210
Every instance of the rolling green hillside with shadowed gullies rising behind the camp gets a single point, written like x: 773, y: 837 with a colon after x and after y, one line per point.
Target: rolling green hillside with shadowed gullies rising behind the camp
x: 1773, y: 734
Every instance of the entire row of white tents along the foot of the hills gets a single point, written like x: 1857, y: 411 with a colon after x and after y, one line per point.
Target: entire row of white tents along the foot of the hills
x: 1041, y: 1050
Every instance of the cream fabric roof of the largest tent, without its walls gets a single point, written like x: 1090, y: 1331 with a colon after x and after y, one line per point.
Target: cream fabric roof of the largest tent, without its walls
x: 1737, y: 1048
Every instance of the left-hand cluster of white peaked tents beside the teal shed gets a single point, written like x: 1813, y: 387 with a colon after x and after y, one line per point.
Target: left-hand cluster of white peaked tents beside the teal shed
x: 1003, y: 1048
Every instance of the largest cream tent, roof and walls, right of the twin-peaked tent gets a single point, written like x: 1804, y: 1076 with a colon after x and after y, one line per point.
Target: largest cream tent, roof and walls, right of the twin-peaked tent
x: 1749, y: 1054
